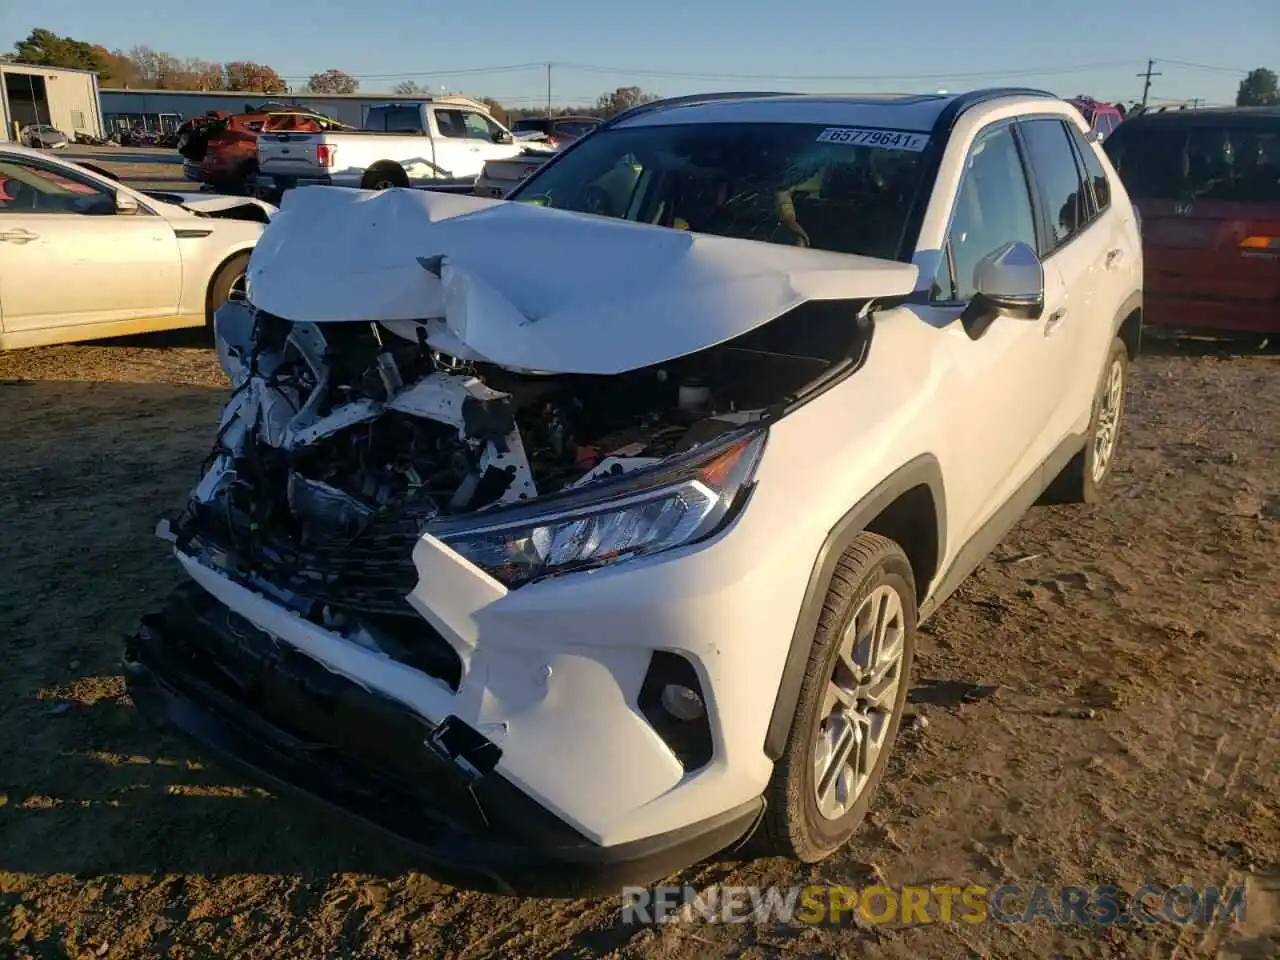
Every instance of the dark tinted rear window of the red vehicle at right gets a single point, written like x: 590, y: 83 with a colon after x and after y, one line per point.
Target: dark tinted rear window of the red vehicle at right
x: 1238, y: 163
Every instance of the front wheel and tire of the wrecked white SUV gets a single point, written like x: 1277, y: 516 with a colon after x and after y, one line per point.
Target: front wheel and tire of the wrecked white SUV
x: 851, y: 705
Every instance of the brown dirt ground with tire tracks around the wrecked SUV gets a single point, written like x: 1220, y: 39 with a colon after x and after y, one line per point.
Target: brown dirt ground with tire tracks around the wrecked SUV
x: 1099, y: 706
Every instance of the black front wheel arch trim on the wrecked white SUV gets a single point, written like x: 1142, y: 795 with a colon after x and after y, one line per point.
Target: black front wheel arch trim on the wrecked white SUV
x: 924, y: 470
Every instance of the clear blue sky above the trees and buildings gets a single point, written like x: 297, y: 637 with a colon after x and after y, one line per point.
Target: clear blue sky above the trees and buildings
x: 673, y: 47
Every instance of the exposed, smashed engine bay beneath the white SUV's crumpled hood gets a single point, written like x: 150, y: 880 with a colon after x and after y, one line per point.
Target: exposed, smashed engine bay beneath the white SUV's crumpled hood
x: 345, y: 441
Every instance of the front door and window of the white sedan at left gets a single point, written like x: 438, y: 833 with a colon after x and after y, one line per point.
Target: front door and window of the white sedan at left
x: 68, y: 259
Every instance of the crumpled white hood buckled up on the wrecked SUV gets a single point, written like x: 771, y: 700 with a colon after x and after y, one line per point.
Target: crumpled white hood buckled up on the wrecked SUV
x: 533, y: 289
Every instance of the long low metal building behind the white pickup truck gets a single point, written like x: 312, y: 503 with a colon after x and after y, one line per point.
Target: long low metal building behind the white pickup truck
x: 167, y: 109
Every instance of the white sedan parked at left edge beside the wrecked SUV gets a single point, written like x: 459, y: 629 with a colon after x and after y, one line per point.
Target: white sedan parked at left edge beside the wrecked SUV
x: 84, y: 257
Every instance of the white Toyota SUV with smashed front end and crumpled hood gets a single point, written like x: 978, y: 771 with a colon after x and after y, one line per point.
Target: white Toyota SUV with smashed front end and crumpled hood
x: 577, y: 540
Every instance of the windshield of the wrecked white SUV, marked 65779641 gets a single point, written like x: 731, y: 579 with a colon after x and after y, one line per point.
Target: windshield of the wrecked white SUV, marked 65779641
x: 840, y: 190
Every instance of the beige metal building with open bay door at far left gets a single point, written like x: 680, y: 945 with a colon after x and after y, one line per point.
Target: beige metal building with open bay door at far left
x: 65, y: 99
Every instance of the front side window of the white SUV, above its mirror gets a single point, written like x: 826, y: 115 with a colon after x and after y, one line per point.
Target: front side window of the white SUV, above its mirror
x: 993, y: 208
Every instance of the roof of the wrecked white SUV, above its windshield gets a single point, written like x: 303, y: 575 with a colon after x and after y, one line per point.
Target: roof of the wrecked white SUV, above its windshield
x: 908, y: 112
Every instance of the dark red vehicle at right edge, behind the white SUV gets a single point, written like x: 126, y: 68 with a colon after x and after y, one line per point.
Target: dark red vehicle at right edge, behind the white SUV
x: 1208, y: 186
